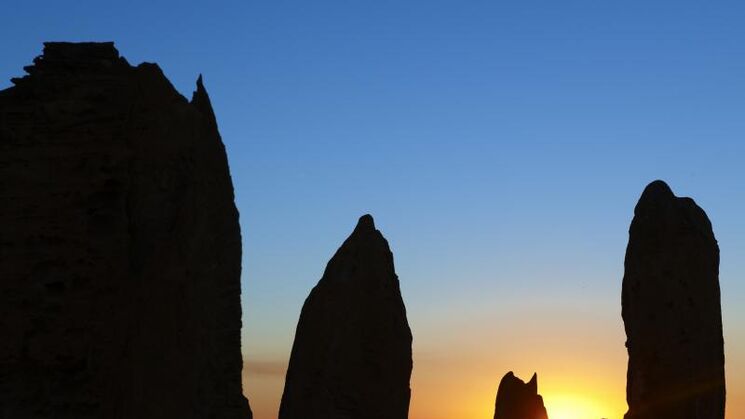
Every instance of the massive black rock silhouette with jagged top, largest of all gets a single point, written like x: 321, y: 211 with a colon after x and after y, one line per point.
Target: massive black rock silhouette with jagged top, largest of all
x: 120, y: 248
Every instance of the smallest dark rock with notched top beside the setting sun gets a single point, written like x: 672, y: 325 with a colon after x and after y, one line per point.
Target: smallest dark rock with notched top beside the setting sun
x: 518, y: 400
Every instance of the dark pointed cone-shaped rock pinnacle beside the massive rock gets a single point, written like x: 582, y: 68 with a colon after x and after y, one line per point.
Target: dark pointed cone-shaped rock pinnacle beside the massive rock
x: 352, y: 353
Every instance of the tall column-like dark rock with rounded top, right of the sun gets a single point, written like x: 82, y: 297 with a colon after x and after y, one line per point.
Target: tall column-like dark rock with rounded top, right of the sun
x: 671, y: 311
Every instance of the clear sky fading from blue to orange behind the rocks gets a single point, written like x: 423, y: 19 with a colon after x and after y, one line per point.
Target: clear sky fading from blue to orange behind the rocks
x: 500, y: 145
